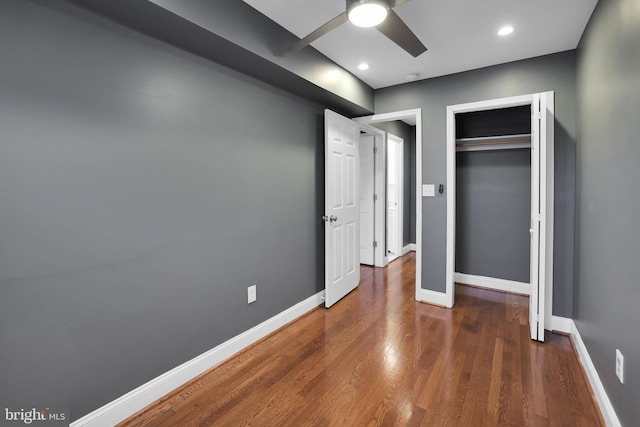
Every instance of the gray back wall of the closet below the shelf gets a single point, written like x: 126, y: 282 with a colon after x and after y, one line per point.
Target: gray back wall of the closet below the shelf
x: 493, y: 211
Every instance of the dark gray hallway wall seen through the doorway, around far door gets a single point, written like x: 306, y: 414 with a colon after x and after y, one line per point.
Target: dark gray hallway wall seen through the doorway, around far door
x: 408, y: 134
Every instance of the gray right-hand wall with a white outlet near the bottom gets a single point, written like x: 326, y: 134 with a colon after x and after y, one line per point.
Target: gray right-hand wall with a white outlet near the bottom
x: 608, y: 200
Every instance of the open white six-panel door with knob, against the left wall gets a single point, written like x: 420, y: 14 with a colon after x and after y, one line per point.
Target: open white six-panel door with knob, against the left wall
x: 342, y: 265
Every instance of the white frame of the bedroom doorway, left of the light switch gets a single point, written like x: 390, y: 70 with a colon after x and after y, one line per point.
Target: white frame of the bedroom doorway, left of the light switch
x: 415, y: 116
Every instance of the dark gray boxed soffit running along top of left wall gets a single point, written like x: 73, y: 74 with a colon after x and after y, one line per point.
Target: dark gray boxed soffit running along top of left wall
x: 234, y: 34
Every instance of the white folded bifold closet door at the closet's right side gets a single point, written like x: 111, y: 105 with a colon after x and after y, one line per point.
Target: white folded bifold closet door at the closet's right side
x: 538, y: 220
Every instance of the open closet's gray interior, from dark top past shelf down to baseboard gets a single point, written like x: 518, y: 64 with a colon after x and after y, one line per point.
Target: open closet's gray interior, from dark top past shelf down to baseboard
x: 493, y: 195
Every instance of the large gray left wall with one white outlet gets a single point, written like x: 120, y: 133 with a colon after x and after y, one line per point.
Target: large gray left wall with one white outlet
x: 142, y: 190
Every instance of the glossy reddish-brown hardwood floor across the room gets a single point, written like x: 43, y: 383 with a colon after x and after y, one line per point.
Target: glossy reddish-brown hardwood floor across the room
x: 379, y: 358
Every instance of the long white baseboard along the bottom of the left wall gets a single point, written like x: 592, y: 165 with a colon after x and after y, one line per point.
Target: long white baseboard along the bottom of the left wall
x: 136, y: 400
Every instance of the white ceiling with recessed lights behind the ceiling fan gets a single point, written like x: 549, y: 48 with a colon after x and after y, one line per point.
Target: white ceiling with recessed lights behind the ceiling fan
x: 461, y: 35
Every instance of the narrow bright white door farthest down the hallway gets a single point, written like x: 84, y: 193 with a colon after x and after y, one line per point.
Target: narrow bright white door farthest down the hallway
x: 394, y: 197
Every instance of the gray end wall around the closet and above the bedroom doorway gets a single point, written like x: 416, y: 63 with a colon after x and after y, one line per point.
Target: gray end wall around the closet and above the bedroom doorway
x: 552, y: 72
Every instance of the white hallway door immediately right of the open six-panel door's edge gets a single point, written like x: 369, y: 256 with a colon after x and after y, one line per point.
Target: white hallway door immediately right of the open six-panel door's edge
x: 367, y: 181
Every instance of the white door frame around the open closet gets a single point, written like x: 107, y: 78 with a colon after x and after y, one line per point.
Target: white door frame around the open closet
x: 546, y: 190
